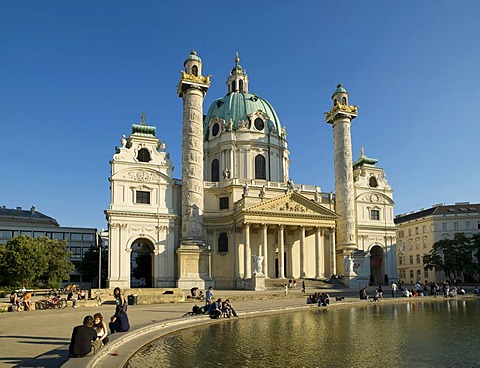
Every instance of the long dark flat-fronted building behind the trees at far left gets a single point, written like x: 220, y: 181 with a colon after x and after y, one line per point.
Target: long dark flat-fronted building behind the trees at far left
x: 15, y: 222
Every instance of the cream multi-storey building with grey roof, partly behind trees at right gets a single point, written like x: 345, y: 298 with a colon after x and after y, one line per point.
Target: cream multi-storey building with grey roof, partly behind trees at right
x: 418, y: 231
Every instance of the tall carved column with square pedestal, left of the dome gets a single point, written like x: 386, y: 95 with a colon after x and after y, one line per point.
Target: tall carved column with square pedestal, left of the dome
x: 193, y: 255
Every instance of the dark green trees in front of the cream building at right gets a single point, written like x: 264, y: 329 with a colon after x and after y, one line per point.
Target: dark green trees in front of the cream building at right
x: 457, y: 257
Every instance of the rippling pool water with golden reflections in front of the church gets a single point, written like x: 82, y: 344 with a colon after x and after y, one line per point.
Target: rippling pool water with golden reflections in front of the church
x: 443, y: 333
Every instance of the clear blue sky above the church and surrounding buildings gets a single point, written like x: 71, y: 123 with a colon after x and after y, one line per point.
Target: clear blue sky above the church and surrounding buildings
x: 74, y: 76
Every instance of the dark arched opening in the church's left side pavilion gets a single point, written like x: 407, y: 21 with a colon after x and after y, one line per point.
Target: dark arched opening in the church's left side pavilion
x: 141, y: 264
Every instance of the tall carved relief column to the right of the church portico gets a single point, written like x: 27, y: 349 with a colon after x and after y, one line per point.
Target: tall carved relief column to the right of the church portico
x: 341, y: 116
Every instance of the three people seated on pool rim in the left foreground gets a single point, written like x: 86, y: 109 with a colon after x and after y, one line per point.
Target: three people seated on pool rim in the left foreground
x: 89, y: 337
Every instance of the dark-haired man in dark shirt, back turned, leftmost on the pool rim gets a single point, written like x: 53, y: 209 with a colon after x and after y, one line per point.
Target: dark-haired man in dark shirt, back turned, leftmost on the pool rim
x: 84, y: 340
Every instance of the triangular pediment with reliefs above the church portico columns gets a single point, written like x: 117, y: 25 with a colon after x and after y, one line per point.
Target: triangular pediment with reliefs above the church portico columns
x: 291, y: 205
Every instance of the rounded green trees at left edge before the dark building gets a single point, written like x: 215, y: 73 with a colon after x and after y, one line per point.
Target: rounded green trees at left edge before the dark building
x: 26, y: 261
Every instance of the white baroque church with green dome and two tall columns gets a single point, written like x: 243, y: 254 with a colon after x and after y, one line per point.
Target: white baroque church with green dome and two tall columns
x: 236, y: 217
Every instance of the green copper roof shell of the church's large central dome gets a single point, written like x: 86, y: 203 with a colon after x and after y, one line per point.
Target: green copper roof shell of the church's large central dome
x: 237, y: 106
